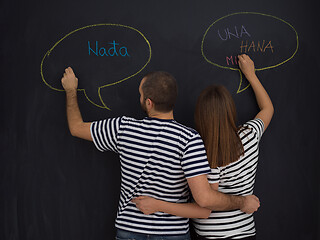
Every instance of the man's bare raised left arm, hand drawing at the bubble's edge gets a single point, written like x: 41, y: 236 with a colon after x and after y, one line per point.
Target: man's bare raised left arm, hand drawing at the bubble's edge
x: 77, y: 127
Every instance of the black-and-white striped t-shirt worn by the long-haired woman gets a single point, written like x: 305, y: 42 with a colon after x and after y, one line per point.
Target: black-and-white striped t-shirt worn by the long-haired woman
x: 237, y: 178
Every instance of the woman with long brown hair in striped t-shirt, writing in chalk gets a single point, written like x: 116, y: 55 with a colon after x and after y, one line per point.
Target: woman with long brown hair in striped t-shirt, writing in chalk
x: 232, y: 154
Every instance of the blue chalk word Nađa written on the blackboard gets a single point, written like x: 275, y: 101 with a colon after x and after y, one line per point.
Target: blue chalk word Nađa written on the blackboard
x: 113, y: 50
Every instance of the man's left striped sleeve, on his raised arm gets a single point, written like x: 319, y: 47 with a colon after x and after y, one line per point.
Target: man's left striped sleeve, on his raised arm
x: 104, y: 134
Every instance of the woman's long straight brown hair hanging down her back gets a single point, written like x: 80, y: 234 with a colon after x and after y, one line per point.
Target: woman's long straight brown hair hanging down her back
x: 215, y: 120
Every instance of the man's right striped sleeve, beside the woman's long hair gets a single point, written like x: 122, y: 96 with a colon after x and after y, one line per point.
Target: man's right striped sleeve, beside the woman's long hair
x: 194, y: 161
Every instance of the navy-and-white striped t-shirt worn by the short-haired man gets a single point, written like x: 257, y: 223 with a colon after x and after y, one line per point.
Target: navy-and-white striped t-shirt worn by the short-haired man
x: 157, y: 156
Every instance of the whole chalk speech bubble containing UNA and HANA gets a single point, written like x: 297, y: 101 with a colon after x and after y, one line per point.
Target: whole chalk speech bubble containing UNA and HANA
x: 269, y: 40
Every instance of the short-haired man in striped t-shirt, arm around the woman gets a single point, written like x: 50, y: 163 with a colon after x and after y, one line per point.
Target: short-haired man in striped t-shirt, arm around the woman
x: 159, y: 158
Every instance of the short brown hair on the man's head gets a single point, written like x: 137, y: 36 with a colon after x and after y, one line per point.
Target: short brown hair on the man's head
x: 161, y: 88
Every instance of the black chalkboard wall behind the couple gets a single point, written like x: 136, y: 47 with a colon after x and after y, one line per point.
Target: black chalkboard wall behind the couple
x: 54, y: 186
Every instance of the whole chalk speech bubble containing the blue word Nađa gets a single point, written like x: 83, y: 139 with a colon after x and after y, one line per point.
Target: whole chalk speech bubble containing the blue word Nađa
x: 101, y: 55
